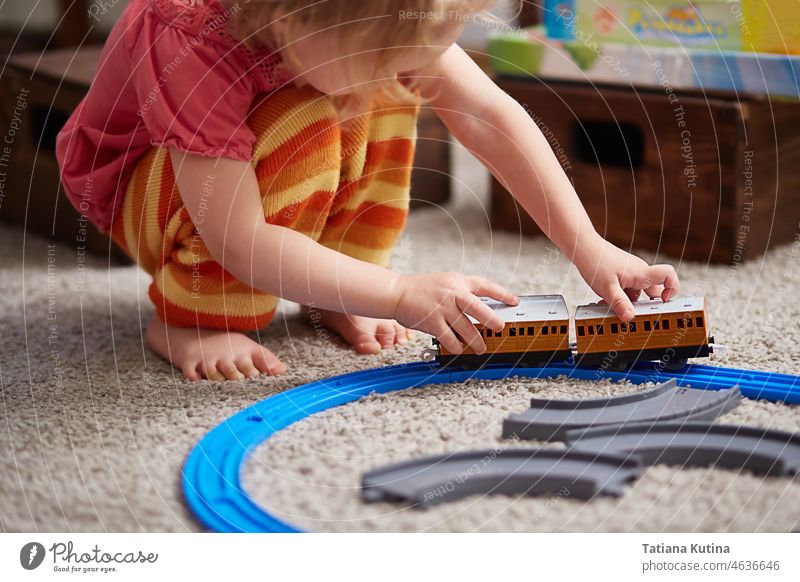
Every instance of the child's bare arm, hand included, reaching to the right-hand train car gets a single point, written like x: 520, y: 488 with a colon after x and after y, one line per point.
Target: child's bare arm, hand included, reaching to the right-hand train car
x: 499, y: 132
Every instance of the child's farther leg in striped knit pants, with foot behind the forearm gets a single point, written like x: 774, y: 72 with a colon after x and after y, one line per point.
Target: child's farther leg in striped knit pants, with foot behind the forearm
x: 370, y: 209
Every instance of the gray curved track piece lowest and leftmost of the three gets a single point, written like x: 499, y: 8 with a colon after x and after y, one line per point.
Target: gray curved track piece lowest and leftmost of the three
x: 441, y: 478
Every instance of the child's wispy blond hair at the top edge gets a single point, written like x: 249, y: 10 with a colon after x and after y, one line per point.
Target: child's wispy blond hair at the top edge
x: 398, y: 23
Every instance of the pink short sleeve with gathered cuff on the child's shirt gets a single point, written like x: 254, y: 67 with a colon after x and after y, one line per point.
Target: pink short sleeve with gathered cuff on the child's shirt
x: 189, y: 95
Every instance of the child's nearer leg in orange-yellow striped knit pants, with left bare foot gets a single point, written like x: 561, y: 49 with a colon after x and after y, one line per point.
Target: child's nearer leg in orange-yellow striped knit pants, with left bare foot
x: 200, y: 306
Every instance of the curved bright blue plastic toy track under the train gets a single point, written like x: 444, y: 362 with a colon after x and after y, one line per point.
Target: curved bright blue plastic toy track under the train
x: 212, y: 473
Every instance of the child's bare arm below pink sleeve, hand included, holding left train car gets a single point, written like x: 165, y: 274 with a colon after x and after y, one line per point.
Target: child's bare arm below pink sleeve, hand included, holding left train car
x: 230, y: 219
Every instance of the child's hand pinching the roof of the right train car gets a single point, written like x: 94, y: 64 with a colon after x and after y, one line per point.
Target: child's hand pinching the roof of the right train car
x: 619, y: 277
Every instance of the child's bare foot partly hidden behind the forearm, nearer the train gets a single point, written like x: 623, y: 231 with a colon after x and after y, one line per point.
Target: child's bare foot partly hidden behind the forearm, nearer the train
x: 366, y: 334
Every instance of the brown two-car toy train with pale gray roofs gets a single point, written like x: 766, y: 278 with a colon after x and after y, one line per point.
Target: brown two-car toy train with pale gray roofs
x: 537, y: 333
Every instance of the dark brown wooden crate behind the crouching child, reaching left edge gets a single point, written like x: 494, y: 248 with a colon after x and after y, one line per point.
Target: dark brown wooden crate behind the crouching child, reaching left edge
x: 53, y: 84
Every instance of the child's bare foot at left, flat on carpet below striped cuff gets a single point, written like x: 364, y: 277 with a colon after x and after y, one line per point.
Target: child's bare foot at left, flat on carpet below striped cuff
x: 211, y: 353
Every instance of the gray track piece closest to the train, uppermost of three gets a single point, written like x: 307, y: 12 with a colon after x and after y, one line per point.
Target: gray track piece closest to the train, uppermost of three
x: 551, y: 419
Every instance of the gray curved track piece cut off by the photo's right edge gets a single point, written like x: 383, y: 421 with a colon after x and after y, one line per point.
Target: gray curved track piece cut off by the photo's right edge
x: 696, y: 444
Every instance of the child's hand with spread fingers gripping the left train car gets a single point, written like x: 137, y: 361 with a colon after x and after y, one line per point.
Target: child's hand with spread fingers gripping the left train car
x: 437, y: 303
